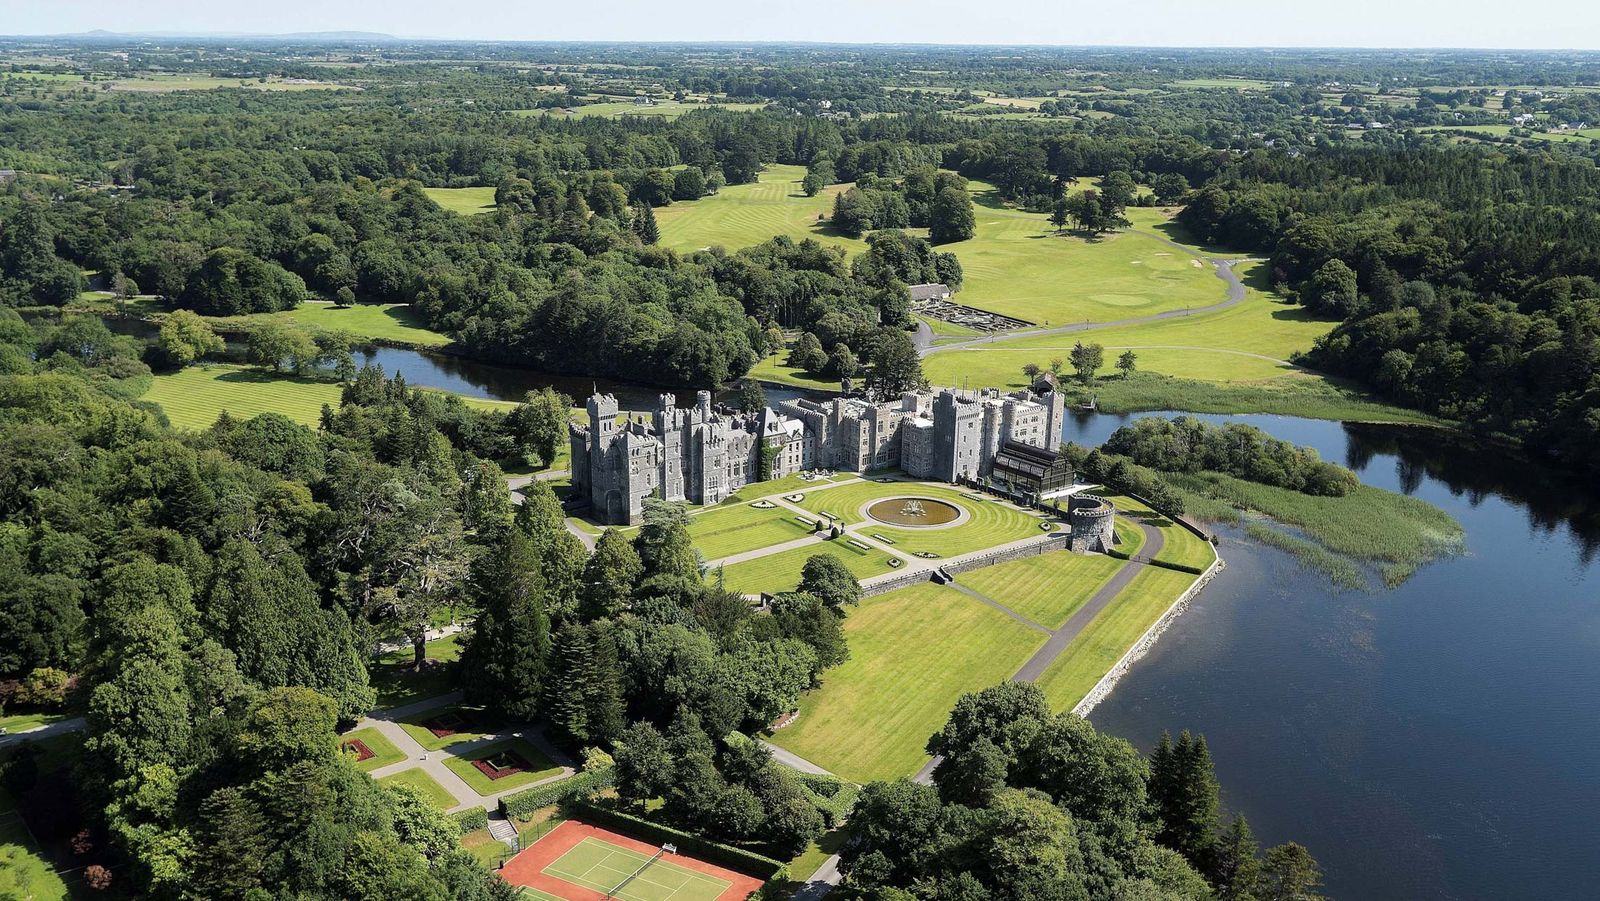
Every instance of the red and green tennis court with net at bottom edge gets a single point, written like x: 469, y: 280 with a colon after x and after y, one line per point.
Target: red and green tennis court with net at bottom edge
x: 585, y: 863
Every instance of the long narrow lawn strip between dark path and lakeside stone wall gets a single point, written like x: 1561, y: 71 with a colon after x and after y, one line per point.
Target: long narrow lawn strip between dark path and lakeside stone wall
x: 1092, y: 655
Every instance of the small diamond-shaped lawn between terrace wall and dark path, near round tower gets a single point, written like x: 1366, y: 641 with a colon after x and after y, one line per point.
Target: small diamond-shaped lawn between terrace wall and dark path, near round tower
x: 1049, y: 588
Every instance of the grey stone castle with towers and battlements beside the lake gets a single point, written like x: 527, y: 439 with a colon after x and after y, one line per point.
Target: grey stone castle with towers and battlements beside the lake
x: 705, y: 454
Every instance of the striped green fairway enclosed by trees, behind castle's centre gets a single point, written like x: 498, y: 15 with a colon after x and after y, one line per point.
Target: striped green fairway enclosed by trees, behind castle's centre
x: 745, y: 215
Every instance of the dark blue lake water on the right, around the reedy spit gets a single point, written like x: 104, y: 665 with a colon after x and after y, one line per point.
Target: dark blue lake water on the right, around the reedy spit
x: 1438, y: 740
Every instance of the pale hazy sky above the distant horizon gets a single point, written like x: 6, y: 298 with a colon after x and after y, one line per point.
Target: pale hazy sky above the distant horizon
x: 1556, y: 25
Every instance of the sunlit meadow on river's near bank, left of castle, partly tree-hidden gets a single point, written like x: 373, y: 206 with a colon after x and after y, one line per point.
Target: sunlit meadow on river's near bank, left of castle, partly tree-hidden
x: 194, y: 398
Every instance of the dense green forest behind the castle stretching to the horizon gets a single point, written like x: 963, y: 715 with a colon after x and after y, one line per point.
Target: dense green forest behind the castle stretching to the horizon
x: 1463, y: 270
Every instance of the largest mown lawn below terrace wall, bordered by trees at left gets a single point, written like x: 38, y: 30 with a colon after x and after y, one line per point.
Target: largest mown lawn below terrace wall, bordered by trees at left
x: 913, y: 654
